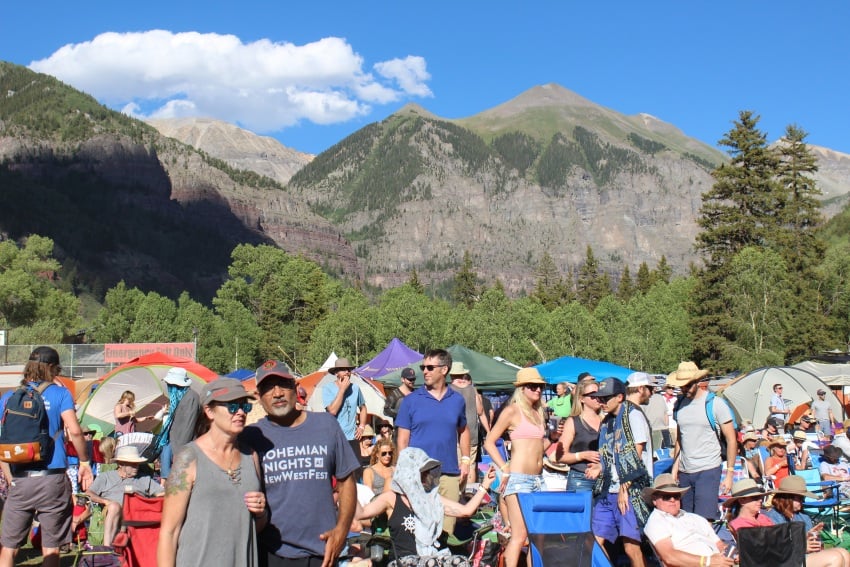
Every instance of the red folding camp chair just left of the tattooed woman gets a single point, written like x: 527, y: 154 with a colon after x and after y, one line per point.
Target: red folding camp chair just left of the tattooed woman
x: 142, y: 516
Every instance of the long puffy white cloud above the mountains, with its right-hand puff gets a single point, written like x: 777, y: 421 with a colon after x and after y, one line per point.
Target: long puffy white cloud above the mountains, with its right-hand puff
x: 263, y: 85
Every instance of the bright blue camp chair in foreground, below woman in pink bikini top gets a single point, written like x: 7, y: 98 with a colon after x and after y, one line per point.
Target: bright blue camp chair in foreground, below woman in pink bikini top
x: 559, y: 531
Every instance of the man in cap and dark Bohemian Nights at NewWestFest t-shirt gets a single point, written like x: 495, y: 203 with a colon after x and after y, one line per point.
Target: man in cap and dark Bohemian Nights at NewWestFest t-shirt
x: 304, y: 455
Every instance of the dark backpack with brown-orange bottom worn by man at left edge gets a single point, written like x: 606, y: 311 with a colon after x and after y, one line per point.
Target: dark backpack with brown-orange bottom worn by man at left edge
x: 25, y: 434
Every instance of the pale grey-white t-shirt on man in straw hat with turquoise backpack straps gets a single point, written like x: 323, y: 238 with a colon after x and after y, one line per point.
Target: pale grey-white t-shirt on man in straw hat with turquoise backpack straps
x: 700, y: 448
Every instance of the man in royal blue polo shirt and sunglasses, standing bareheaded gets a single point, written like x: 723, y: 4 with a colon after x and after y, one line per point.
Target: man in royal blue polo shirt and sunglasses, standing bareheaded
x: 433, y: 418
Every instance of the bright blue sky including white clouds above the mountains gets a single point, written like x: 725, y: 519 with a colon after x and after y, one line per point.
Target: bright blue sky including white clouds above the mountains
x: 310, y: 73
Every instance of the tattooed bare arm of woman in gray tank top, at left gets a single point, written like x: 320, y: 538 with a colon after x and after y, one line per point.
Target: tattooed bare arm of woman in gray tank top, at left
x: 178, y: 489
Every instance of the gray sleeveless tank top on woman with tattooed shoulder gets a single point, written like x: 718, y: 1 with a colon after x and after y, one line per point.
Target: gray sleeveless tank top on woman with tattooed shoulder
x: 218, y: 529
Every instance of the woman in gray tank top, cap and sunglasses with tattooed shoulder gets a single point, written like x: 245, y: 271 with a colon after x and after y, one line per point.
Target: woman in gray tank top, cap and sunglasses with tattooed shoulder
x: 214, y: 506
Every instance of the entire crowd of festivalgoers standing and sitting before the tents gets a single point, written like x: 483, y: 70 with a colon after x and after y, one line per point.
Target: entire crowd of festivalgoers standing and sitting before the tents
x: 288, y: 489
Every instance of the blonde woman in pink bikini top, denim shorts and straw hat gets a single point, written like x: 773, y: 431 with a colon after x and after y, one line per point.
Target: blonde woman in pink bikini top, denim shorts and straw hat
x: 525, y: 420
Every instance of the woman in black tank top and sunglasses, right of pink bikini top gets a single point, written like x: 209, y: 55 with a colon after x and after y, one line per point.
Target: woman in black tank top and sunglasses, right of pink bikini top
x: 579, y: 442
